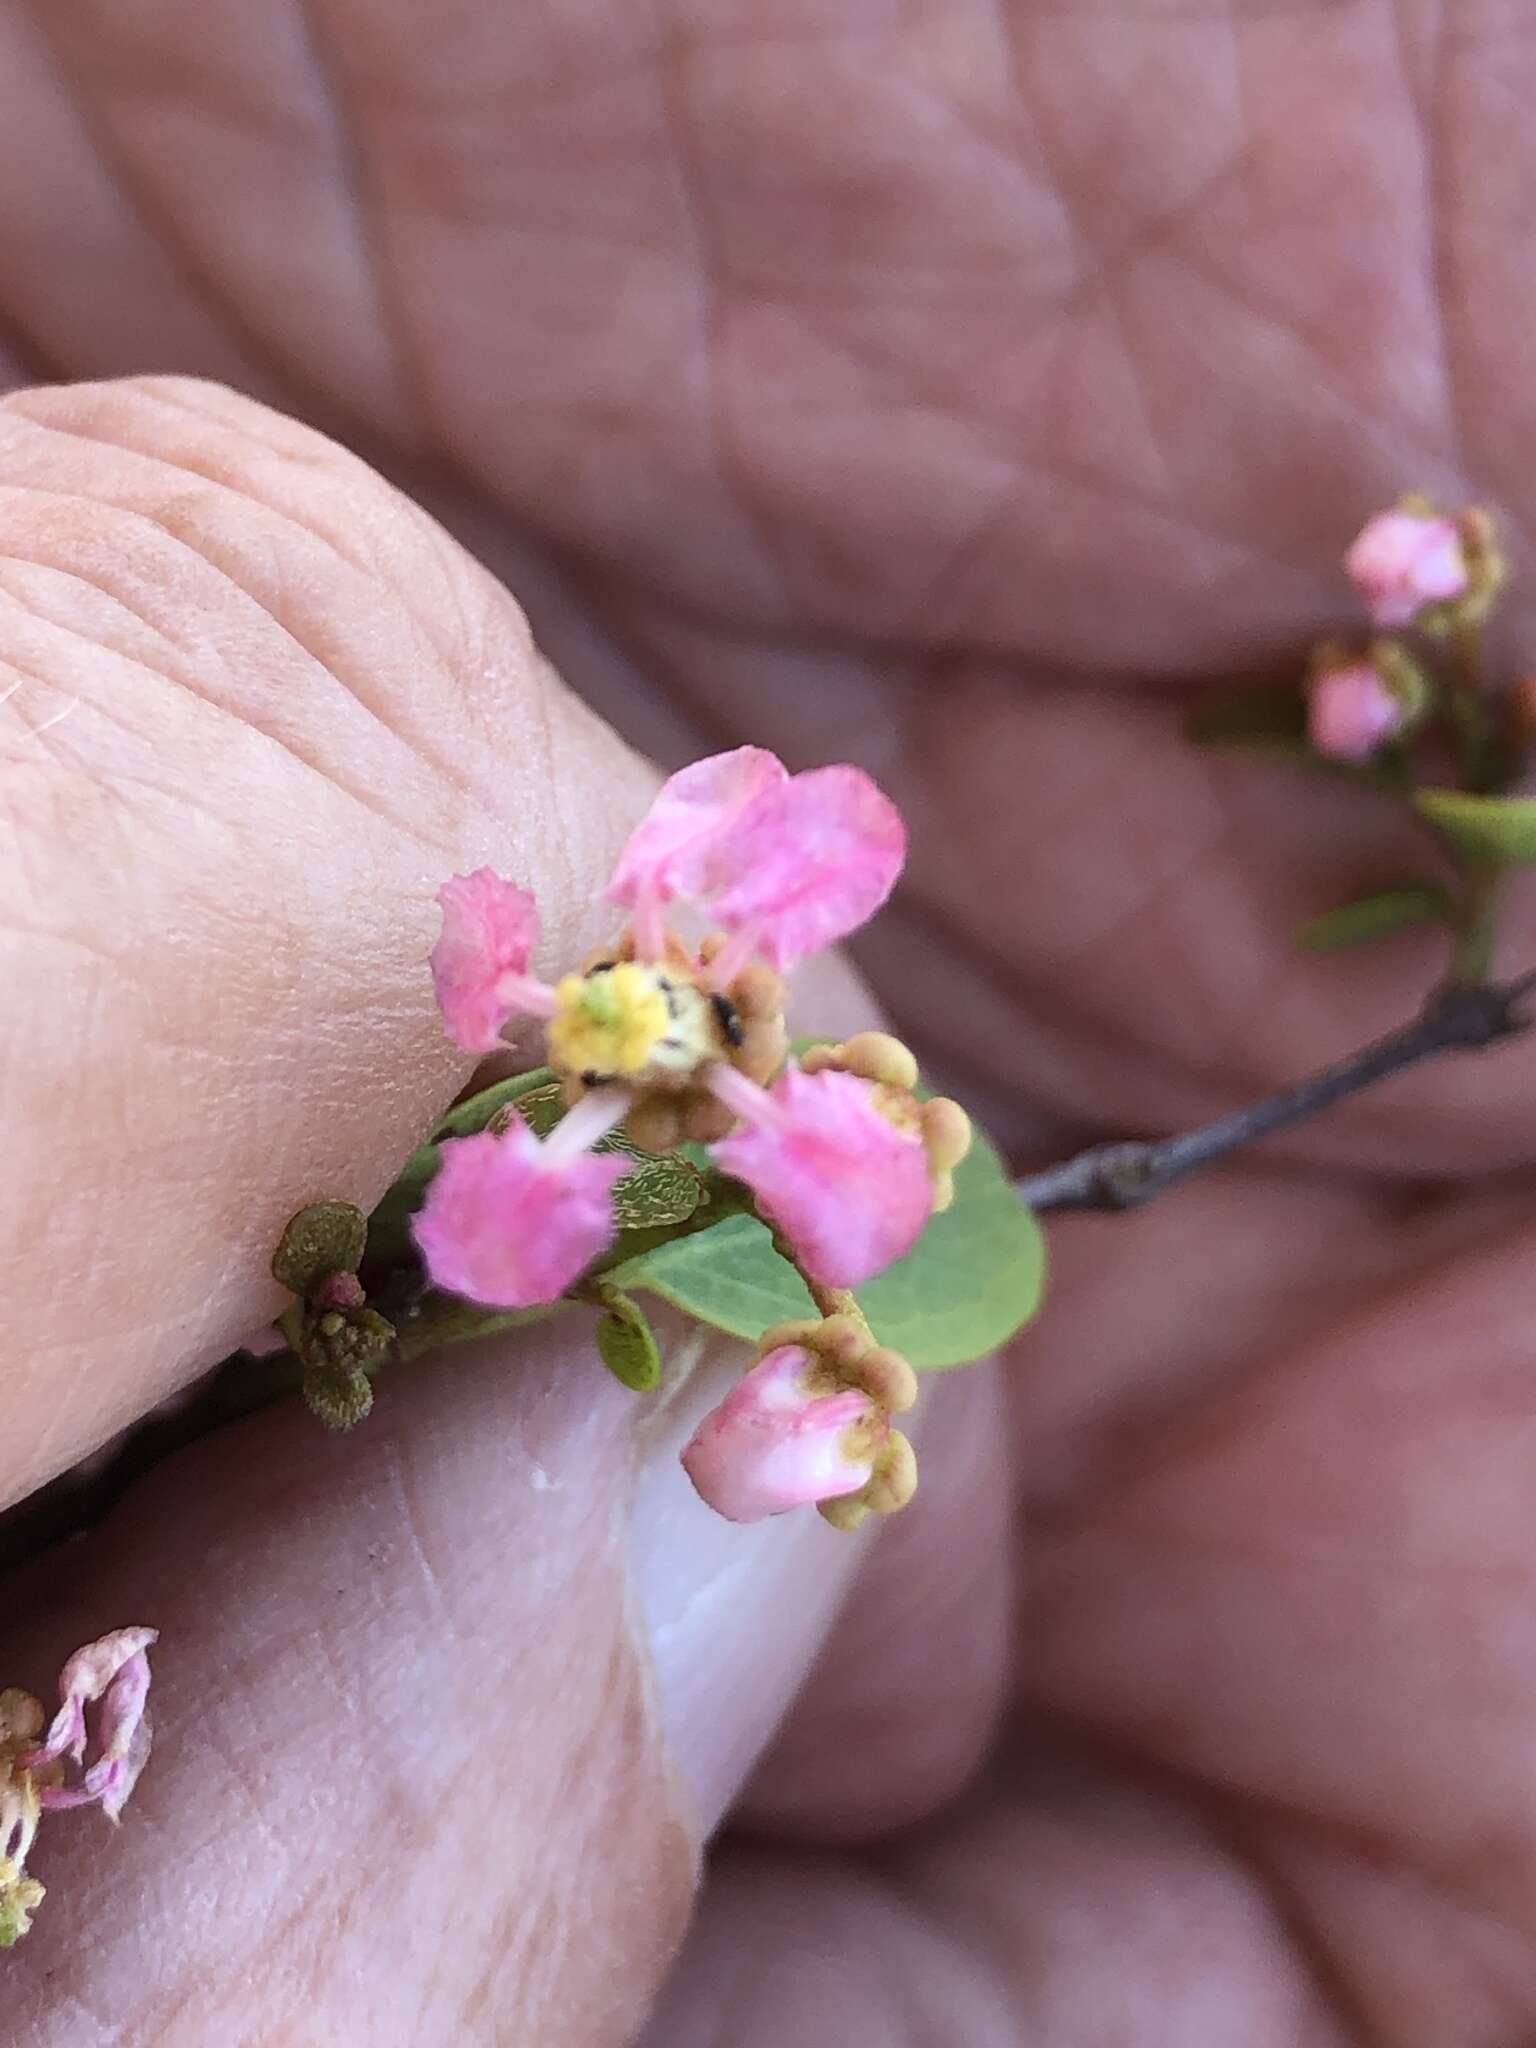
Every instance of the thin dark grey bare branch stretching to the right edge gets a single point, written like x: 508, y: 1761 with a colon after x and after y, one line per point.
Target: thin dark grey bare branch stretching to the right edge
x: 1132, y: 1172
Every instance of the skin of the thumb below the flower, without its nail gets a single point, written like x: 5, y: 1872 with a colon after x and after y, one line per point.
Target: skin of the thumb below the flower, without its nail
x: 409, y: 1779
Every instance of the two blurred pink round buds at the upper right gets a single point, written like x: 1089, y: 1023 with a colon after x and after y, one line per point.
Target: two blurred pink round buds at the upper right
x: 1412, y: 568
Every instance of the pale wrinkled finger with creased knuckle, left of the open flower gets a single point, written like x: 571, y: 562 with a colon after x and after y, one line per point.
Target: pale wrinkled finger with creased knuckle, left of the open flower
x: 257, y: 708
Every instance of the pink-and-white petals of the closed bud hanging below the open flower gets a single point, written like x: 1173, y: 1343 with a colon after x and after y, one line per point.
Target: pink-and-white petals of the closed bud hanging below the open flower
x: 775, y: 1445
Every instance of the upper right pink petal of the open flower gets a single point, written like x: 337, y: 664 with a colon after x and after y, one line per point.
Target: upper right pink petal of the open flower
x: 808, y: 865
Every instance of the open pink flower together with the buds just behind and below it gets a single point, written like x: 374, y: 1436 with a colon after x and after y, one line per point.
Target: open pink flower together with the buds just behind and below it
x: 685, y: 1043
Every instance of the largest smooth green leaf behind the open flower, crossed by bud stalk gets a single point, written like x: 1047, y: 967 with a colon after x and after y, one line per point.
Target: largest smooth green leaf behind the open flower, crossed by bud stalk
x: 972, y: 1281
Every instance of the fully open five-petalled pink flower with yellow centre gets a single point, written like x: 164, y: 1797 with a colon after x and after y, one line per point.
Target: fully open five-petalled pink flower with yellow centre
x: 785, y: 865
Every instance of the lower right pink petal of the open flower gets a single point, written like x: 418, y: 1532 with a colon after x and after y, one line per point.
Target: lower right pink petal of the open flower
x: 835, y: 1175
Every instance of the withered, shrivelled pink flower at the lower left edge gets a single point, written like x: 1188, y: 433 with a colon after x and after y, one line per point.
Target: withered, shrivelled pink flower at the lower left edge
x: 114, y: 1670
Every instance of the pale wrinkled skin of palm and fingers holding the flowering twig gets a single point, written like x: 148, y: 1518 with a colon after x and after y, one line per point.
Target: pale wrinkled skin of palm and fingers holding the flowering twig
x: 919, y: 384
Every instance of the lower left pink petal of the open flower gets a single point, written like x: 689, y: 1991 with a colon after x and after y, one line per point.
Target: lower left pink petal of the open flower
x: 509, y: 1226
